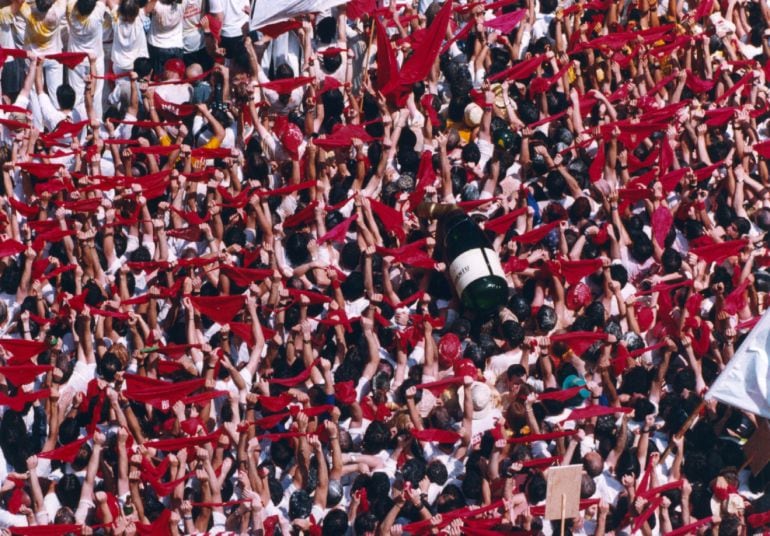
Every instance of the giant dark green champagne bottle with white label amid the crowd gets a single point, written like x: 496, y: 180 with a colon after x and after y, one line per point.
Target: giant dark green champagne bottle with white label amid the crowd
x: 473, y: 266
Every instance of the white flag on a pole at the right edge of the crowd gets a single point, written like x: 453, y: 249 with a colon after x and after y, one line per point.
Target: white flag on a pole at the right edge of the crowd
x: 744, y: 382
